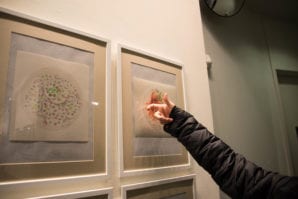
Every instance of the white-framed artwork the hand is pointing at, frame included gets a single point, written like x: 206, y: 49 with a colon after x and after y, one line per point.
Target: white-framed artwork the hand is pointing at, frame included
x: 144, y: 144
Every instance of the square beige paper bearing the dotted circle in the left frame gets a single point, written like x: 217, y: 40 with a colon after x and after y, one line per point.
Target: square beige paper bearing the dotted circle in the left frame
x: 49, y: 99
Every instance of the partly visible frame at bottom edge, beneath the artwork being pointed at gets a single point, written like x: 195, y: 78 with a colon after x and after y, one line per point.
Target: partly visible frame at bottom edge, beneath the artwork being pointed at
x: 172, y: 188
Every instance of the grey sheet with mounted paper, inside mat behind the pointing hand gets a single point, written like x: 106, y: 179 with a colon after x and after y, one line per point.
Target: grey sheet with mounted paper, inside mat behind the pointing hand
x: 149, y: 132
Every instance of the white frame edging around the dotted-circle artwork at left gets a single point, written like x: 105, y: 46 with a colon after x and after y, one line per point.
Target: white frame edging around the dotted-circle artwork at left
x: 29, y: 181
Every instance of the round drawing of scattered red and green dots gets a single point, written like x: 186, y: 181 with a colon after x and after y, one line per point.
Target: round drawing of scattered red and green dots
x: 53, y: 97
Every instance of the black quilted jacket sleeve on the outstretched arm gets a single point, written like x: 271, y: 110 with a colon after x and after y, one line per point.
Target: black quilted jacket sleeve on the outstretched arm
x: 235, y: 175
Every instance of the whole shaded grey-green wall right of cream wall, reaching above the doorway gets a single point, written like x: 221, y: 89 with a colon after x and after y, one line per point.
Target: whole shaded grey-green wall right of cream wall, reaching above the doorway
x: 245, y: 50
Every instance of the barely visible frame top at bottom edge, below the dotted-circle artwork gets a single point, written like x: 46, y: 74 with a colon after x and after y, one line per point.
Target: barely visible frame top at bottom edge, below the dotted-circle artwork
x: 89, y: 194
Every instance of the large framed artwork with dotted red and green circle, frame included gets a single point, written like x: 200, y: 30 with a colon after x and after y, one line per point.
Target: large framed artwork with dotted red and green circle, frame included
x: 54, y: 100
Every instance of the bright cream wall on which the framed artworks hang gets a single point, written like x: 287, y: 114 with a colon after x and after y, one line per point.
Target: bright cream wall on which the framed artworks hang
x: 170, y: 29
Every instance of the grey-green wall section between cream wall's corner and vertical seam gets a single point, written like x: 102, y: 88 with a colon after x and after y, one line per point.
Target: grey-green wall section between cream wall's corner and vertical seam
x: 241, y: 84
